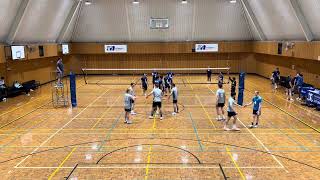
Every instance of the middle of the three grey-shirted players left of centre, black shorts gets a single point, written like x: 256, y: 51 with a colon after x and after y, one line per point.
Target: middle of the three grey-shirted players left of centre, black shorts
x: 157, y: 101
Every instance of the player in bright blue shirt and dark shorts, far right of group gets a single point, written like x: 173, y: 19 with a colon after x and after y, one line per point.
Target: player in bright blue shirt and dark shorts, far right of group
x: 257, y: 102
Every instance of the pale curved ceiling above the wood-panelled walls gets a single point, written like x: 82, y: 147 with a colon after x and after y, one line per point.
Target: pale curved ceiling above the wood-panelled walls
x: 38, y: 21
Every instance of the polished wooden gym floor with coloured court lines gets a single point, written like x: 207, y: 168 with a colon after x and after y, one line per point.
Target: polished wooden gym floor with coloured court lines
x: 92, y: 142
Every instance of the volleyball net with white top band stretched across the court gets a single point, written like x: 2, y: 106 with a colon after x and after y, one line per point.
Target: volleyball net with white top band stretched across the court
x: 127, y: 76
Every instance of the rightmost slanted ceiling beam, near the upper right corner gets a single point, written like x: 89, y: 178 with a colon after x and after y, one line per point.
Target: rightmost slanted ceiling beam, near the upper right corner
x: 302, y: 21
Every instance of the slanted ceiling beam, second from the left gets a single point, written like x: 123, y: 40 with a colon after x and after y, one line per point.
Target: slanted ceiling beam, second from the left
x: 67, y: 24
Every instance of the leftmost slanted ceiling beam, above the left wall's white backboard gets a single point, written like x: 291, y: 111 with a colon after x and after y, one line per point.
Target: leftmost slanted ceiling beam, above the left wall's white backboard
x: 17, y: 21
